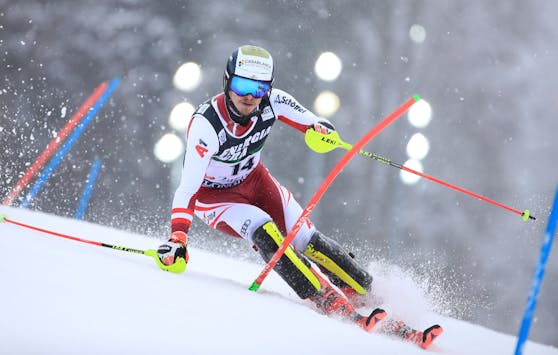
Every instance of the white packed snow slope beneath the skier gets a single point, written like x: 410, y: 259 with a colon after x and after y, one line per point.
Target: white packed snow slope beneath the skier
x: 60, y: 296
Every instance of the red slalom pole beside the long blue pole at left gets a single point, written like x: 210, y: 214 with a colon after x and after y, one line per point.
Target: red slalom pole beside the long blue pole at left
x: 54, y: 143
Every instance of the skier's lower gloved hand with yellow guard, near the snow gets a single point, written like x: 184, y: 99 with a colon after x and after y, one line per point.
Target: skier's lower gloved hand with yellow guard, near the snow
x: 173, y: 255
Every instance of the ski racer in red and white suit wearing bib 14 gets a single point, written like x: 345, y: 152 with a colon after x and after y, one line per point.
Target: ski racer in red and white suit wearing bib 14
x: 226, y: 185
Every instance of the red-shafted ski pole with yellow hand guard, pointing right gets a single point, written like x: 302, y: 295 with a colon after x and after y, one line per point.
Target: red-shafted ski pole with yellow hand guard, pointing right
x: 321, y: 143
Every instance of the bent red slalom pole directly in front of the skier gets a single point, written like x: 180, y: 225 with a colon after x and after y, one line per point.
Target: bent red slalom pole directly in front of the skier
x: 325, y: 185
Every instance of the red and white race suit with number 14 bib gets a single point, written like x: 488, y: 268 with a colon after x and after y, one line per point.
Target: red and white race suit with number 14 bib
x: 223, y: 180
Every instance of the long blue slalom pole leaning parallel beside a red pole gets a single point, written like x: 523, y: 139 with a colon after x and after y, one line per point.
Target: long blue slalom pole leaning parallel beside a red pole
x: 69, y: 143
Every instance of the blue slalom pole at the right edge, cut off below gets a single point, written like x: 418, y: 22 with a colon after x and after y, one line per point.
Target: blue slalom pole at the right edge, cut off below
x: 537, y: 278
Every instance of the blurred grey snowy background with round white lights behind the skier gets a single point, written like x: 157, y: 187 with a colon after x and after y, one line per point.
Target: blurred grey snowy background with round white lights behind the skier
x: 486, y: 72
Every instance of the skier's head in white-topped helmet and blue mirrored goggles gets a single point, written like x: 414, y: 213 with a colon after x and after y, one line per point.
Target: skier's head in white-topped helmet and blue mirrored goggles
x: 247, y: 80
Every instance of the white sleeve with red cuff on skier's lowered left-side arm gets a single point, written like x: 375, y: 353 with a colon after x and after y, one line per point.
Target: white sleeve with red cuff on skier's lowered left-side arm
x: 201, y: 144
